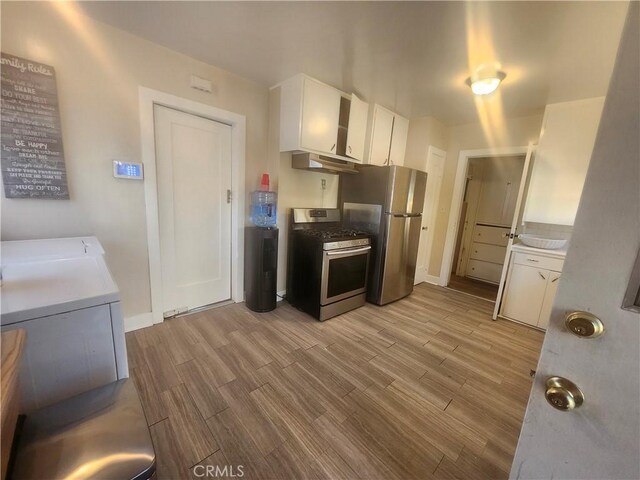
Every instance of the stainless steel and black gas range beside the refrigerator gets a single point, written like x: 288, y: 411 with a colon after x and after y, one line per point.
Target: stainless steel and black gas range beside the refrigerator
x: 327, y: 264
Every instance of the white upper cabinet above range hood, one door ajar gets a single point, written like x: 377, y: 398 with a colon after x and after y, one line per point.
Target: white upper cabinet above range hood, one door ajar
x: 315, y: 117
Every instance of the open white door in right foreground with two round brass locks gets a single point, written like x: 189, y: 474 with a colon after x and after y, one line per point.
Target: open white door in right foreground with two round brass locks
x: 600, y: 439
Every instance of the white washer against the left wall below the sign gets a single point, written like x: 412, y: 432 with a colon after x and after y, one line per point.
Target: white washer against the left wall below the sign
x: 61, y: 292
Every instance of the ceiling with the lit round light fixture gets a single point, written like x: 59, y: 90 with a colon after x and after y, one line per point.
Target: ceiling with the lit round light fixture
x: 412, y: 57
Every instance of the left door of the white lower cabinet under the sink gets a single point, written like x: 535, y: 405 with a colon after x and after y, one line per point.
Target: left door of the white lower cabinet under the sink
x: 525, y: 293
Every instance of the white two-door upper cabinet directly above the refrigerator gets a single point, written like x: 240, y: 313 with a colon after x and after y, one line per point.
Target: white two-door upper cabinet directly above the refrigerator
x: 388, y: 137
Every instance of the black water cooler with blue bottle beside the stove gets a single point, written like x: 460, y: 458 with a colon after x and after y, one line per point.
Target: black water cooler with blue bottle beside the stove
x: 261, y: 251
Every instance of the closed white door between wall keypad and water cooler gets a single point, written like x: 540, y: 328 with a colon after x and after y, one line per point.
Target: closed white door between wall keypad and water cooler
x: 193, y: 162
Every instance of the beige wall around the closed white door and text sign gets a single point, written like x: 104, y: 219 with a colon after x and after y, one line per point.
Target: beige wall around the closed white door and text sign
x: 99, y: 69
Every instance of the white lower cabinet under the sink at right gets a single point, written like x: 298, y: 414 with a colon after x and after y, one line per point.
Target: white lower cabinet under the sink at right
x: 529, y: 293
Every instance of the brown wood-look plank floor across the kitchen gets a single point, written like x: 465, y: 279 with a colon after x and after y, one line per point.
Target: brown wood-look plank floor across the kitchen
x: 427, y: 387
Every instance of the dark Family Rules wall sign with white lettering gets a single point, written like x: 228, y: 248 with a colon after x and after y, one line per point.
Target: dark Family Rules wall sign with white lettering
x: 31, y: 147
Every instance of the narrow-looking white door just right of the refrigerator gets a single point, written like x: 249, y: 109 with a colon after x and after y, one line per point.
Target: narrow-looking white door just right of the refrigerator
x: 435, y: 171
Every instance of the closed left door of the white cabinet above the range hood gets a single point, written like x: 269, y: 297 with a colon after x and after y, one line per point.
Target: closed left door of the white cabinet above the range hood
x: 320, y: 116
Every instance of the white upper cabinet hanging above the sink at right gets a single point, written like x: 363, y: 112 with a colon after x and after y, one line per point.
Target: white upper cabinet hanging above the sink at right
x: 563, y: 154
